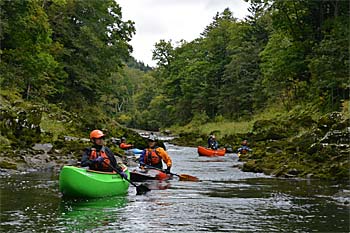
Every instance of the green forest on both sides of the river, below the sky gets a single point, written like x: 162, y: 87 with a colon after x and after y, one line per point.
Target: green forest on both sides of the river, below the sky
x: 66, y: 68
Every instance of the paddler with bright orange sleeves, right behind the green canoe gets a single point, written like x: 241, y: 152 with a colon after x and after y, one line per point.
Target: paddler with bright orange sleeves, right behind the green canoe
x: 154, y: 155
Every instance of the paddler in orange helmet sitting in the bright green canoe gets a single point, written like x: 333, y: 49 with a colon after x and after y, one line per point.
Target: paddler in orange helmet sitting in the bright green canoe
x: 98, y: 157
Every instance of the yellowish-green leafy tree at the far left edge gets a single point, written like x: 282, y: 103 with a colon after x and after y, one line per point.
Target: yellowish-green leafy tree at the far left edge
x: 26, y: 51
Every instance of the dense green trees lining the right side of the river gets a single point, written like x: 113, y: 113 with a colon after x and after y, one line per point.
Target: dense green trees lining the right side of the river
x: 293, y: 52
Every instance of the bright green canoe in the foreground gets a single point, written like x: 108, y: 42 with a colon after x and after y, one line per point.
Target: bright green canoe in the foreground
x: 79, y: 182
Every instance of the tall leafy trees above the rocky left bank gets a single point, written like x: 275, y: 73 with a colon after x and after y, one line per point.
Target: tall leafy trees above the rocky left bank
x: 67, y: 53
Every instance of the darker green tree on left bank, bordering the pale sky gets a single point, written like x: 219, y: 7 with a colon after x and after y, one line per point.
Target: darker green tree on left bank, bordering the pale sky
x: 95, y: 41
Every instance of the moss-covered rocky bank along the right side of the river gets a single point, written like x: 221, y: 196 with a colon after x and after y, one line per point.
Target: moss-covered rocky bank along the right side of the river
x: 295, y: 147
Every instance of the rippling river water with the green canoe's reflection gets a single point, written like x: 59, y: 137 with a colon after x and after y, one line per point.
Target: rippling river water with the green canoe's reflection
x: 226, y: 200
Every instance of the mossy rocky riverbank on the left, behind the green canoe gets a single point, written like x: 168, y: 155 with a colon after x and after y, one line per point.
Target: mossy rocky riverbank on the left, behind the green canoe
x: 36, y: 138
